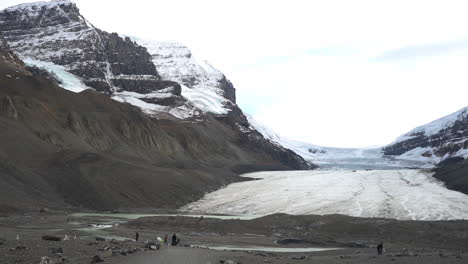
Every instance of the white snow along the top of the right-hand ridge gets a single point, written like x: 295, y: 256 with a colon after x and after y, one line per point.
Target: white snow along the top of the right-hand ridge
x: 435, y: 126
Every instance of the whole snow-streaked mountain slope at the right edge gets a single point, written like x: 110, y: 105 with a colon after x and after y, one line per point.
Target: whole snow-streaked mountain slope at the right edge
x: 434, y: 142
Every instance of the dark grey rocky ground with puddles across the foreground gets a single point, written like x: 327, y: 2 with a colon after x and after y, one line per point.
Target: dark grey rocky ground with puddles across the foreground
x: 22, y: 239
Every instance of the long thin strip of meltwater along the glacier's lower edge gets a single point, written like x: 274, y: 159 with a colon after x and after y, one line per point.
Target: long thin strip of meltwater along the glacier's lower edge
x: 136, y: 216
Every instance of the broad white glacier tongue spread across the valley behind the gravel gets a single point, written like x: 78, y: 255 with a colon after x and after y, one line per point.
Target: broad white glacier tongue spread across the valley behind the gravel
x: 399, y: 194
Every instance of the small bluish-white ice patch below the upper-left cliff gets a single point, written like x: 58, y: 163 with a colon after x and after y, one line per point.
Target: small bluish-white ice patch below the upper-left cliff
x: 67, y: 80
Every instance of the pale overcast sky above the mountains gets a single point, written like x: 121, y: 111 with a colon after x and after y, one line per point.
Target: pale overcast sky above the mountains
x: 335, y: 73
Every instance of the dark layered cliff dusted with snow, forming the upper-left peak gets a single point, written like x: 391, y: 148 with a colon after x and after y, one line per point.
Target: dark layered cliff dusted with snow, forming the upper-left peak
x: 58, y: 33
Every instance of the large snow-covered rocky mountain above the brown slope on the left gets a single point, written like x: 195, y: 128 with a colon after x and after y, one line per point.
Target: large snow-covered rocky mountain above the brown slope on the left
x: 163, y: 79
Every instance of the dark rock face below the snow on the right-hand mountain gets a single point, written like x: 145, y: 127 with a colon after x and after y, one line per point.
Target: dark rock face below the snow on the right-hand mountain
x: 447, y: 141
